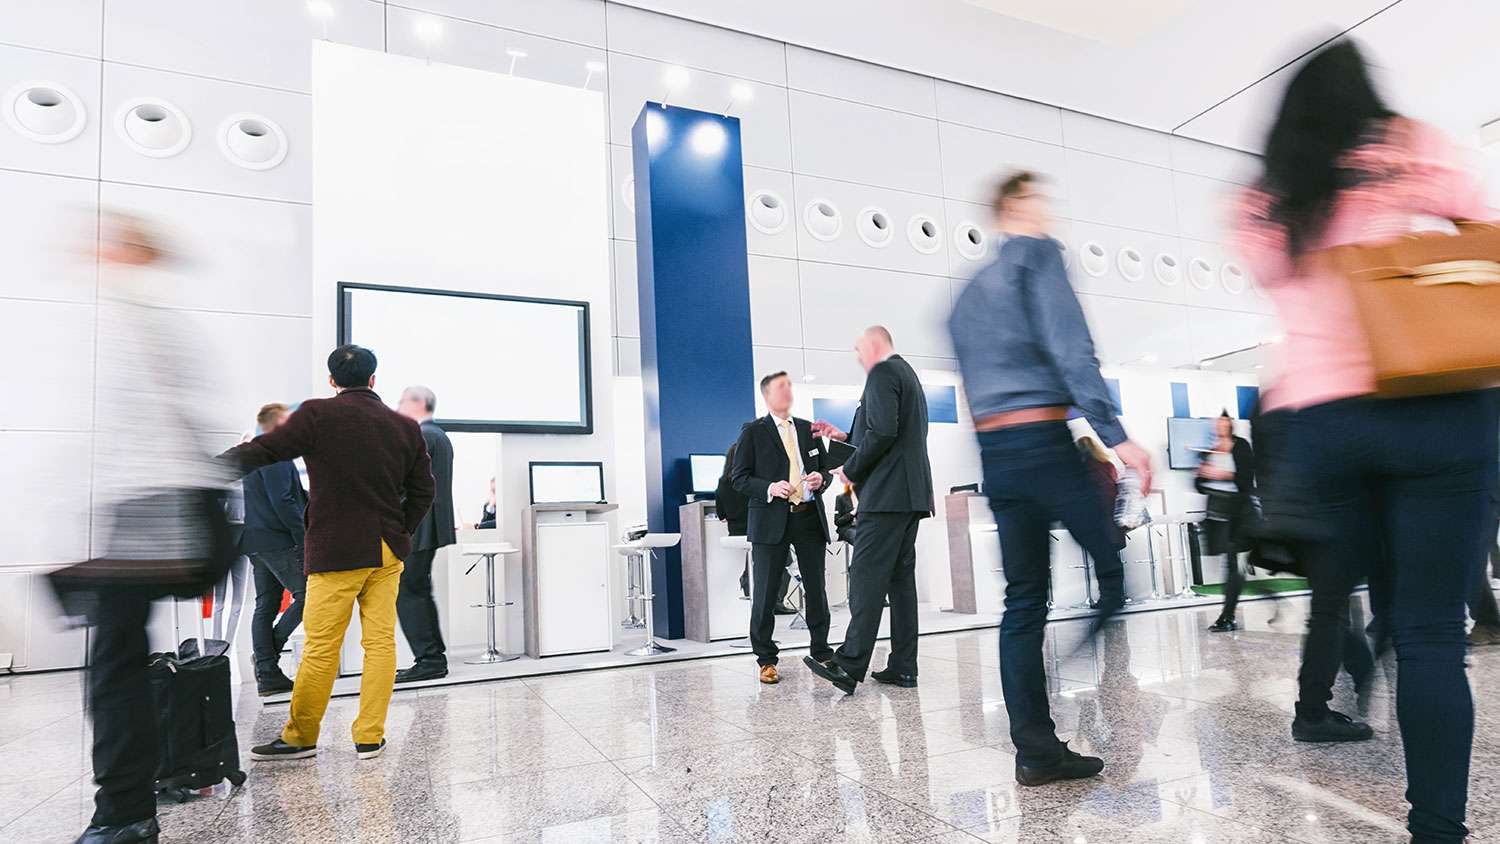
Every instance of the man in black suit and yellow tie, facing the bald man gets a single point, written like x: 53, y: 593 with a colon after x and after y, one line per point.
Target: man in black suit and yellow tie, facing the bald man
x: 779, y: 468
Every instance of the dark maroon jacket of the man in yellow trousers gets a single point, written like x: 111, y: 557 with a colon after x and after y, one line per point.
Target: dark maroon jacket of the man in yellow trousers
x: 370, y: 473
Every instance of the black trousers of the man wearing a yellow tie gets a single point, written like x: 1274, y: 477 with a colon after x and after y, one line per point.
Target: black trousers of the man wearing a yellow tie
x: 805, y: 533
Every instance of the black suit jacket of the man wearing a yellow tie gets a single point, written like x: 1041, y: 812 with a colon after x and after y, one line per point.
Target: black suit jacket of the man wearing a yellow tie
x: 761, y: 461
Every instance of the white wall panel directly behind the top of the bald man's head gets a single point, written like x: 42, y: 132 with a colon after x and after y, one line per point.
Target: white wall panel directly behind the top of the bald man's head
x: 847, y: 301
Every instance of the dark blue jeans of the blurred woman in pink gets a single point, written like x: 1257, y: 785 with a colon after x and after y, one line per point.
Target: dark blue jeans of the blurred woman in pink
x: 1405, y: 488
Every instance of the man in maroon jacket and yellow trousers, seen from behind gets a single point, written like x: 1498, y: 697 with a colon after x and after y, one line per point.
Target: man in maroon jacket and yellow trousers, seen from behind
x: 371, y: 486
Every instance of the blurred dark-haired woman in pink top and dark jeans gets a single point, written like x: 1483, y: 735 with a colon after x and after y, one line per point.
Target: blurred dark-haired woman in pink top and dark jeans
x: 1396, y: 486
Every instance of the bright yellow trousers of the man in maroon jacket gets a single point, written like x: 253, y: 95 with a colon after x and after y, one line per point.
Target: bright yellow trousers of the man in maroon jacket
x: 329, y: 603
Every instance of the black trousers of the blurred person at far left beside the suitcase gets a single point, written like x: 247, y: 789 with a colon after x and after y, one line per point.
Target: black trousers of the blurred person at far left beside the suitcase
x: 125, y: 749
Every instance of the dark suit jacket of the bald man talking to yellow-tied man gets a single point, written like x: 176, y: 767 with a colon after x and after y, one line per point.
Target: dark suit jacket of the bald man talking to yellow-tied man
x: 890, y: 468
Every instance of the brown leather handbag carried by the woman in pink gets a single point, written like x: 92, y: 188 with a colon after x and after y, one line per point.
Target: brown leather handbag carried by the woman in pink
x: 1430, y: 305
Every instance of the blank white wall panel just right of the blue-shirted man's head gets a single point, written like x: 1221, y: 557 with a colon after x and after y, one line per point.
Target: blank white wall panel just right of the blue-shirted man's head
x: 1118, y: 193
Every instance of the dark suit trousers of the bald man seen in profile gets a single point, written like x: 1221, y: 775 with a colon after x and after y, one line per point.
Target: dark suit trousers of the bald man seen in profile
x: 884, y: 566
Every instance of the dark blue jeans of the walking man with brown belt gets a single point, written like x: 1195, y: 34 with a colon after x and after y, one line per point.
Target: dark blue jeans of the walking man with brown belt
x: 1034, y: 477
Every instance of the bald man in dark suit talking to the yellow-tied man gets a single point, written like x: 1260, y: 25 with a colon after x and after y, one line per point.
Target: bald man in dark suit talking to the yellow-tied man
x: 895, y: 482
